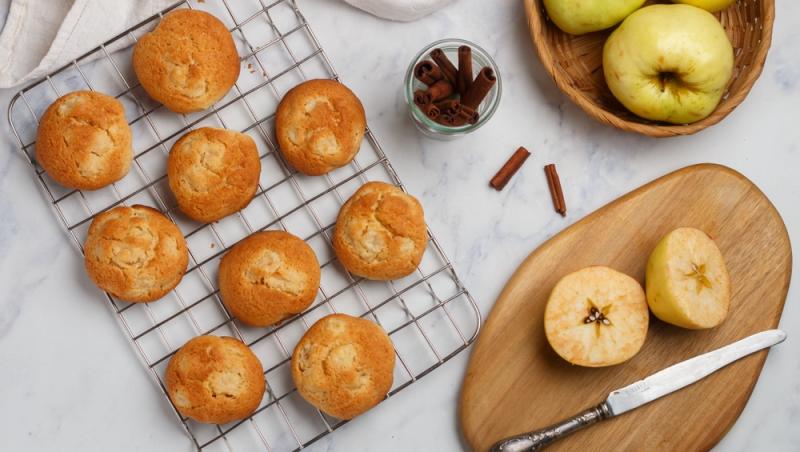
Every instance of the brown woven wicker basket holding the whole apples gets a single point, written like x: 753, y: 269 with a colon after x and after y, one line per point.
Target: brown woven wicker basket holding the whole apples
x: 575, y: 63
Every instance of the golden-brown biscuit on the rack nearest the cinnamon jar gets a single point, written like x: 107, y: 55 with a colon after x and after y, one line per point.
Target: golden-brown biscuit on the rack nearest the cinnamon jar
x: 319, y: 126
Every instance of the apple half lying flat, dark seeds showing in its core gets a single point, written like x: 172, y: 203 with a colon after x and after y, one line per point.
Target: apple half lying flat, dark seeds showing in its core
x: 596, y: 317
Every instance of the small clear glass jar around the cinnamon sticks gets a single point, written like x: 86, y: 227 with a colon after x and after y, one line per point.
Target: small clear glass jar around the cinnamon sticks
x: 486, y: 109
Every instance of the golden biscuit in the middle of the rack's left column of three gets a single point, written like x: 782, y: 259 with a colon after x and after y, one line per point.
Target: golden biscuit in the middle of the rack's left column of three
x: 135, y: 253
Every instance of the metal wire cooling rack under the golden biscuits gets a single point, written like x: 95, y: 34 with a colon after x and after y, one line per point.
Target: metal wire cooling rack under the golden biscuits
x: 429, y: 315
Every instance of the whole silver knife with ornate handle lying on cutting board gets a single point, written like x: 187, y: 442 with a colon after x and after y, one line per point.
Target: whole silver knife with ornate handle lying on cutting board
x: 644, y: 391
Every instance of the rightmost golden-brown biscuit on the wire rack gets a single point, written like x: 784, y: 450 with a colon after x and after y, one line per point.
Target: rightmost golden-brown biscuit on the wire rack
x: 380, y: 232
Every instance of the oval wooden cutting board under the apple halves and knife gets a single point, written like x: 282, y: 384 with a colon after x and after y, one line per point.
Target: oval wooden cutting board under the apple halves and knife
x: 516, y: 383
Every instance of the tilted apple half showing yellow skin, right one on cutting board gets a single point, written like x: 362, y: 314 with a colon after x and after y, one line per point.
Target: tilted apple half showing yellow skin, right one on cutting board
x: 687, y: 280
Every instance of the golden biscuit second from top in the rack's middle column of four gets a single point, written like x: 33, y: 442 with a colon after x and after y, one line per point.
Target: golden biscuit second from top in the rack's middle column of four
x: 213, y: 173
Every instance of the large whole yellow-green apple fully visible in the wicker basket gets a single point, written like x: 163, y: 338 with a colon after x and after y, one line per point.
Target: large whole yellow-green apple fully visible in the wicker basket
x: 669, y: 63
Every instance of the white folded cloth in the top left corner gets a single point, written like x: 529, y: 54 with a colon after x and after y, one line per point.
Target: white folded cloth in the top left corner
x: 40, y: 36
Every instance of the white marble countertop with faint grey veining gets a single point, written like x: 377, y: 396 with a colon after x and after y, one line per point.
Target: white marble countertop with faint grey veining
x: 69, y: 380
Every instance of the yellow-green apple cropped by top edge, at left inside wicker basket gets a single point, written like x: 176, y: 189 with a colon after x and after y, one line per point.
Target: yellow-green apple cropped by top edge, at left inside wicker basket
x: 578, y: 17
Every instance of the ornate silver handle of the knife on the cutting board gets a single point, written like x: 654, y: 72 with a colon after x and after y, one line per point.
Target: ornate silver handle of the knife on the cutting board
x: 540, y: 439
